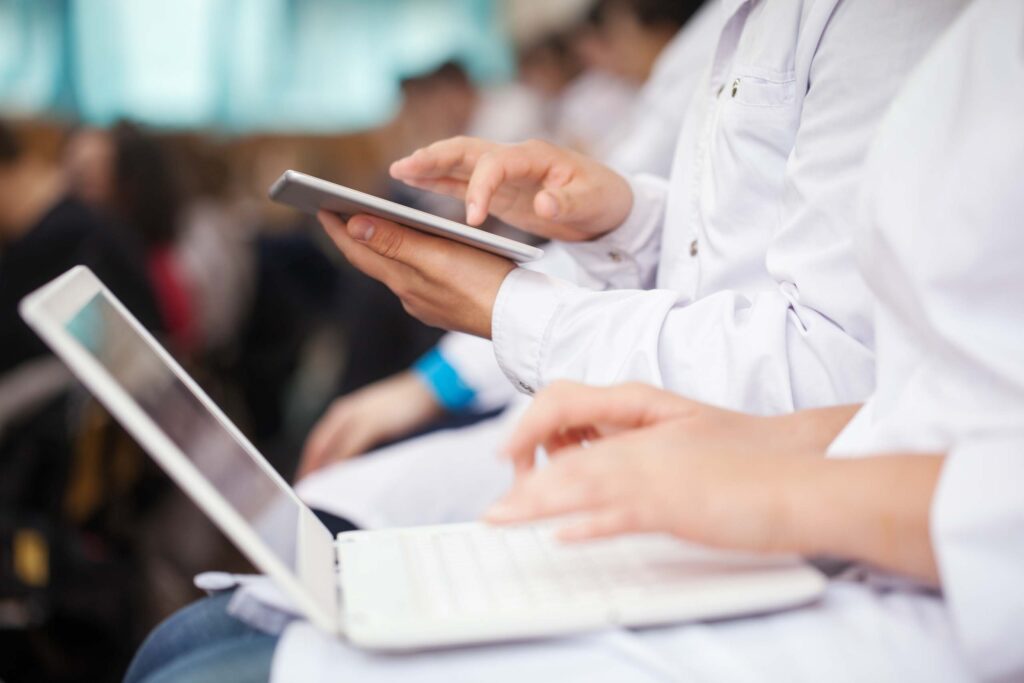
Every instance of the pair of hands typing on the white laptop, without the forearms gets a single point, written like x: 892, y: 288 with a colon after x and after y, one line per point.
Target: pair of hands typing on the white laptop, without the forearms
x: 657, y: 462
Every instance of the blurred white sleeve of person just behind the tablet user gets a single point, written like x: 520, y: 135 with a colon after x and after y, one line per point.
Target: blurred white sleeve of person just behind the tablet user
x: 649, y: 145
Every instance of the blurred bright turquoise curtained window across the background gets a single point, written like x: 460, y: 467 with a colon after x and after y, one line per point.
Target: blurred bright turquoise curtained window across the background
x: 237, y: 65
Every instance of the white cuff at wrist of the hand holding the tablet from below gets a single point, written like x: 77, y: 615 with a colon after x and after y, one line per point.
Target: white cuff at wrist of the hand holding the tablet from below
x: 528, y: 304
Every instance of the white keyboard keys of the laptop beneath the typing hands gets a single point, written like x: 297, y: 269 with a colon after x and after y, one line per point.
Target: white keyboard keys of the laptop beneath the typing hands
x: 511, y: 570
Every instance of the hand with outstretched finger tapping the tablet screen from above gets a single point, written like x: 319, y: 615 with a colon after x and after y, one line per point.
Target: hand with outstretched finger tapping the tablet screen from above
x: 534, y: 186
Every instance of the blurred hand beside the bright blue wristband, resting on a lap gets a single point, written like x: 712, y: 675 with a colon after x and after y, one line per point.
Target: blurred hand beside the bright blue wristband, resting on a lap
x: 385, y: 411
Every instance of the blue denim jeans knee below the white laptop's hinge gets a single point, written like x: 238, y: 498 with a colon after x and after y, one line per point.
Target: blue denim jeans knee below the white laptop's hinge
x: 204, y: 645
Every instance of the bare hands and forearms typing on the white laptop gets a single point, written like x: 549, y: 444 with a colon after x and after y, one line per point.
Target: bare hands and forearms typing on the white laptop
x: 657, y: 462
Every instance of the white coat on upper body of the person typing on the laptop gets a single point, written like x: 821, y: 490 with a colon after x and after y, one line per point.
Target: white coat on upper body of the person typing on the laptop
x: 943, y: 250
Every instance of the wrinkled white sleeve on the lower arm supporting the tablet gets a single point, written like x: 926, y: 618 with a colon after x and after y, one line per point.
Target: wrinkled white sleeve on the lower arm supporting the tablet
x: 723, y: 350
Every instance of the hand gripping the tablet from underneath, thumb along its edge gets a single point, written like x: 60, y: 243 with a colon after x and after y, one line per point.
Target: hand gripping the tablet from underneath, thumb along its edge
x: 442, y: 283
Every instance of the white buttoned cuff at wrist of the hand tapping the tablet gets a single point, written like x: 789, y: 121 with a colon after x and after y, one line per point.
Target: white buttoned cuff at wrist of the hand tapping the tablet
x: 625, y: 259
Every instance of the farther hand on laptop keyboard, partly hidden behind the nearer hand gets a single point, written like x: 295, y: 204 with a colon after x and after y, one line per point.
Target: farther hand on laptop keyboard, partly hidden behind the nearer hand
x: 567, y: 406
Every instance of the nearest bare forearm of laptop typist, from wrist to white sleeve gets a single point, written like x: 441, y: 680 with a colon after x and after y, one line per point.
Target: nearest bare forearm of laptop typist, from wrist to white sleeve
x: 875, y: 510
